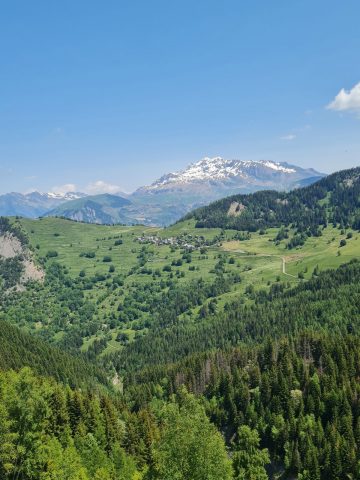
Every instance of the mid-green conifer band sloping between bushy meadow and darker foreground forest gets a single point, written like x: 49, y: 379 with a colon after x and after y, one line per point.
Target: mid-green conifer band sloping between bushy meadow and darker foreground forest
x: 328, y: 302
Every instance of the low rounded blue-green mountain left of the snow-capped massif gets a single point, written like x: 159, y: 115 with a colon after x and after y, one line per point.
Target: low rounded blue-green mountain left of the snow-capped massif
x: 101, y: 209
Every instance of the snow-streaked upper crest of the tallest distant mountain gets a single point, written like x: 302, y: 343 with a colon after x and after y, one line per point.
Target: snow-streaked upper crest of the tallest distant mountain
x: 220, y: 169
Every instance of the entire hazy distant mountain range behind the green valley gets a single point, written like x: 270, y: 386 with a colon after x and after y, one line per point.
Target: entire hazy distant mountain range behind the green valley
x: 168, y: 198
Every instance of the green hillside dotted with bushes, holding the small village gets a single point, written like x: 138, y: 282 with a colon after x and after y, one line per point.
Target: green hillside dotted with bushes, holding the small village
x: 113, y: 279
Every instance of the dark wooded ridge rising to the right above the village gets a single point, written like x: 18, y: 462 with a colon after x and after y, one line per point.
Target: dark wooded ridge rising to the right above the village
x: 334, y: 199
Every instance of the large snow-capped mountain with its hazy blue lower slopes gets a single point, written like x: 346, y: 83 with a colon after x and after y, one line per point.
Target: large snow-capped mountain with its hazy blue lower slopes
x: 174, y: 194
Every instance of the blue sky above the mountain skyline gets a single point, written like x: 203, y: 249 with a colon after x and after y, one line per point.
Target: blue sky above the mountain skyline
x: 121, y: 92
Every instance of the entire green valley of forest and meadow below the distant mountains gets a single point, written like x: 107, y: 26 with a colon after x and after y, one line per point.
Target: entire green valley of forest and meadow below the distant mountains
x: 231, y: 351
